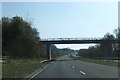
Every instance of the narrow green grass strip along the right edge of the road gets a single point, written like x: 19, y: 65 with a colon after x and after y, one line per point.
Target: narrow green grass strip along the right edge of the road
x: 109, y: 63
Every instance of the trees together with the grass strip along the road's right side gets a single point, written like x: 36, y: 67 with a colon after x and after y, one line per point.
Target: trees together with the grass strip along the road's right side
x: 94, y: 54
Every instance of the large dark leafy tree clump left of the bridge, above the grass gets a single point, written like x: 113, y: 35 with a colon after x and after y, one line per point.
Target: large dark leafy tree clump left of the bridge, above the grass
x: 20, y: 39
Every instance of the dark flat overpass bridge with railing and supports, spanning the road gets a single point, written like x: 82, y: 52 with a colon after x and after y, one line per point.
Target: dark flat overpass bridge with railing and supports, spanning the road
x: 105, y: 45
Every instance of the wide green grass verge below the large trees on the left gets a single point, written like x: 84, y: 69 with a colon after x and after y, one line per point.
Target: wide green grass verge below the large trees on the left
x: 20, y: 68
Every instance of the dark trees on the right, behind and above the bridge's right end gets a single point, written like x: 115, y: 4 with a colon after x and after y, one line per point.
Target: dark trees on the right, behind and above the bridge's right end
x: 100, y: 50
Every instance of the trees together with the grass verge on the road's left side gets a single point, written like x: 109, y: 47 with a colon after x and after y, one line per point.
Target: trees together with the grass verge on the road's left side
x: 22, y: 48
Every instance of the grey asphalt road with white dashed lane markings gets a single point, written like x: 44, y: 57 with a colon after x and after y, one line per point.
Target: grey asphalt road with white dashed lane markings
x: 65, y: 67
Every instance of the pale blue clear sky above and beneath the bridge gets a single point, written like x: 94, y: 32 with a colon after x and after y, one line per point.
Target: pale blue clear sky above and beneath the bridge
x: 67, y: 19
